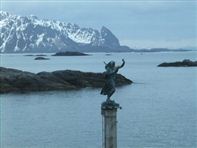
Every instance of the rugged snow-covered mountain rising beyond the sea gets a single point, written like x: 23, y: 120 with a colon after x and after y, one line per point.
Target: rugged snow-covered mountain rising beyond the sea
x: 30, y: 34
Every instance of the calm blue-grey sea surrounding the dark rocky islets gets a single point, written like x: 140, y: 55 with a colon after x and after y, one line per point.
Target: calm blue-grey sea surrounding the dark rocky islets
x: 159, y: 109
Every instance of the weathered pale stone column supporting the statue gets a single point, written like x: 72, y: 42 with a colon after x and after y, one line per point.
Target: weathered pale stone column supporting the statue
x: 109, y: 114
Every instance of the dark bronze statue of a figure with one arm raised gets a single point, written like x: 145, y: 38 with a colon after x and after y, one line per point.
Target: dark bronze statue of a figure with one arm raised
x: 110, y: 73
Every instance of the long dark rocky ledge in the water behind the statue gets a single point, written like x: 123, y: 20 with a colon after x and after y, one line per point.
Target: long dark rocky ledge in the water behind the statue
x: 12, y: 80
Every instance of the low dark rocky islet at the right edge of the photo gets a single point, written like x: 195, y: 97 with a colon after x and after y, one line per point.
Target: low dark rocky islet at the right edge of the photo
x: 184, y: 63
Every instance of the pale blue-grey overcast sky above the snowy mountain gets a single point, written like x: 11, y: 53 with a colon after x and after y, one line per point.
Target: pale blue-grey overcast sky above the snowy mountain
x: 136, y: 23
